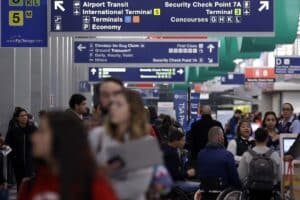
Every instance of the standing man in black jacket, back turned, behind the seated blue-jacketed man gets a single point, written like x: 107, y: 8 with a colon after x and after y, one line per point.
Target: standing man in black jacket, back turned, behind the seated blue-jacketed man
x: 198, y: 136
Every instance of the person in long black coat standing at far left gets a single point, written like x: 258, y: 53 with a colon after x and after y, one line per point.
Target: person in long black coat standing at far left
x: 18, y: 138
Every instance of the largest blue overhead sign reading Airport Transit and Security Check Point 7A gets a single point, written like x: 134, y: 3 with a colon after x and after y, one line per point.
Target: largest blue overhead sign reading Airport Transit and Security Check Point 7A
x: 223, y: 17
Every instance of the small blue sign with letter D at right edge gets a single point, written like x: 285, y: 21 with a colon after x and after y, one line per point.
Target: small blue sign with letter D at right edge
x: 287, y: 65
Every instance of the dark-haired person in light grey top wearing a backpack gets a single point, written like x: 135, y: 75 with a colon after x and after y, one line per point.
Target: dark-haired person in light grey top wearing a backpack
x: 260, y: 169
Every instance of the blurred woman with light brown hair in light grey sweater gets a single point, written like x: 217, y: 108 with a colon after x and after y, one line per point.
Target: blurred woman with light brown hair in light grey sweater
x: 126, y: 123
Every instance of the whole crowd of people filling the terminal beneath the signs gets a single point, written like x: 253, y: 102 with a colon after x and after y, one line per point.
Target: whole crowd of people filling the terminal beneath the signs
x: 123, y: 150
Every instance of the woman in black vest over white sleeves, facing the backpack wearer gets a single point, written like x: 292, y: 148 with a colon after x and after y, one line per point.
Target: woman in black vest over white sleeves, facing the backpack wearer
x: 243, y: 141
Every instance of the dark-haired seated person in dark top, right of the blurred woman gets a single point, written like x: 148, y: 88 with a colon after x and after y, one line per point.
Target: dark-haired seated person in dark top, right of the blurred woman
x: 174, y: 163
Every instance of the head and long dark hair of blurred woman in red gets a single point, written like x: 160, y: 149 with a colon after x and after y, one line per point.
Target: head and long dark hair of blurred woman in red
x: 62, y: 143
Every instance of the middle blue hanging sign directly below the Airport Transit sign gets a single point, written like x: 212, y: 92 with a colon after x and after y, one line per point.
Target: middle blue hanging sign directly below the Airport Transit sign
x: 147, y: 53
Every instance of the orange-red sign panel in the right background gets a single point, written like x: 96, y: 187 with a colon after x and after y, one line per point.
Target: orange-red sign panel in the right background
x: 260, y: 74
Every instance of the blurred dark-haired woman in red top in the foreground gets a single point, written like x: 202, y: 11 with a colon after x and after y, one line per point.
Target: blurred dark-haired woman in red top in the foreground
x: 68, y: 170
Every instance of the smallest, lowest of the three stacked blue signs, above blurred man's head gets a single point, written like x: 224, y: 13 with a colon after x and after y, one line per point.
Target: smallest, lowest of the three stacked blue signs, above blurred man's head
x: 96, y: 74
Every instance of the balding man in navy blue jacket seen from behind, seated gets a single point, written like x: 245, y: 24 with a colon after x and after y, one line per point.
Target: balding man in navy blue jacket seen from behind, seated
x: 215, y: 162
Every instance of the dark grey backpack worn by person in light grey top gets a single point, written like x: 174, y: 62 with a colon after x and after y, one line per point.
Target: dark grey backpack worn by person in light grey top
x: 262, y: 173
